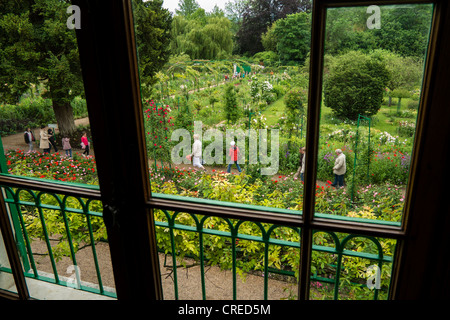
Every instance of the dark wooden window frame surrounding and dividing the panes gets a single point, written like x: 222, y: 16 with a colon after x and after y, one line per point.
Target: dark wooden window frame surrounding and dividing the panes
x: 109, y: 62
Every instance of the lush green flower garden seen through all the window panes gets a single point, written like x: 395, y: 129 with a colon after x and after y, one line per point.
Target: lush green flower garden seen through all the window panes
x: 369, y: 109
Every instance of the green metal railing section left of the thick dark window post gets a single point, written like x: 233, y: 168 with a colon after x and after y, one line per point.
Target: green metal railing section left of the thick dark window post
x: 37, y: 215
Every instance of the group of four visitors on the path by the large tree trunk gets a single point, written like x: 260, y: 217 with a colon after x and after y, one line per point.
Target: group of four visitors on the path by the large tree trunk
x: 47, y: 142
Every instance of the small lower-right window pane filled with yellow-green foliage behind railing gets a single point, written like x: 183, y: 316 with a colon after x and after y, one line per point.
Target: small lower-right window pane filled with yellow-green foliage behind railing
x: 350, y: 267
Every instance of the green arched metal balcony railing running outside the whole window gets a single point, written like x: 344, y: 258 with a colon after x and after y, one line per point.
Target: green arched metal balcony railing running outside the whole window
x: 345, y: 266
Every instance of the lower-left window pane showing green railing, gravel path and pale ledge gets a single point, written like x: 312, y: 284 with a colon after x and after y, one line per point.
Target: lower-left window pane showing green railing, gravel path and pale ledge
x: 63, y: 245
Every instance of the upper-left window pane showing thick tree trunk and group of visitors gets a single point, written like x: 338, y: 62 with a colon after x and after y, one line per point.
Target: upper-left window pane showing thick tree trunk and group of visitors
x: 42, y: 90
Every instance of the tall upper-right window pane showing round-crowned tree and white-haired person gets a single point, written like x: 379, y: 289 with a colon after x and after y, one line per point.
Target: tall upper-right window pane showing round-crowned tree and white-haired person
x: 374, y: 61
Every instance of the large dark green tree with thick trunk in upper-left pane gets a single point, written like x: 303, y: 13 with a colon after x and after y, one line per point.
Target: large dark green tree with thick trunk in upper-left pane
x: 37, y: 48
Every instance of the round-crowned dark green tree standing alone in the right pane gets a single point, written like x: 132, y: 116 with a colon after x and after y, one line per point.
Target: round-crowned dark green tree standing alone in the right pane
x: 355, y: 85
